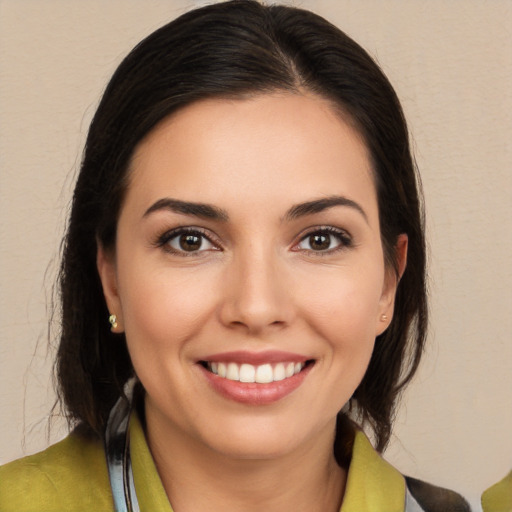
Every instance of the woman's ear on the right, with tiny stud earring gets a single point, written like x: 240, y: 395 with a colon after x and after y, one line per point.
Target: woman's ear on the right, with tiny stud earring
x: 391, y: 280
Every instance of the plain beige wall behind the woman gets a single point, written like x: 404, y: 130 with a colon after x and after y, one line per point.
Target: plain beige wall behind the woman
x: 451, y: 63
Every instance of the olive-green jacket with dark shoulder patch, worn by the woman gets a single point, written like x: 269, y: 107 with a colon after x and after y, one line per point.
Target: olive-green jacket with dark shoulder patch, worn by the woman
x: 72, y: 476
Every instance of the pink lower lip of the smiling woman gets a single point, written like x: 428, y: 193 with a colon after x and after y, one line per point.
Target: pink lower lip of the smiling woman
x: 256, y: 394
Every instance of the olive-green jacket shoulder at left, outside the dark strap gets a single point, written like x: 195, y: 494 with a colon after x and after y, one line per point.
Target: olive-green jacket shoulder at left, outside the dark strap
x: 70, y: 475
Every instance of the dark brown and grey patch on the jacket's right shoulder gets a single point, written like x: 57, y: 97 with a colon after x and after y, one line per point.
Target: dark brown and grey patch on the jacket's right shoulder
x: 424, y: 497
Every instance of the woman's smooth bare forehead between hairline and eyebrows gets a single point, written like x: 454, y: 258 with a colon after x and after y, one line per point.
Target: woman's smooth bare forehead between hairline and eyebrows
x: 268, y: 150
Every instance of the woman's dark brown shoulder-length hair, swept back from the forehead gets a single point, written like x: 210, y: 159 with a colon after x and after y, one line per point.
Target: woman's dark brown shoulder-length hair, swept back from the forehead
x: 235, y: 49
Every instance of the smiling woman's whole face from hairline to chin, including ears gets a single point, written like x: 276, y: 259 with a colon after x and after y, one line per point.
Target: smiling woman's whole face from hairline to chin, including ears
x: 248, y: 249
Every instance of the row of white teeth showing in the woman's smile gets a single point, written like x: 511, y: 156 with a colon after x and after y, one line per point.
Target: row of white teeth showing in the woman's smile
x: 260, y: 374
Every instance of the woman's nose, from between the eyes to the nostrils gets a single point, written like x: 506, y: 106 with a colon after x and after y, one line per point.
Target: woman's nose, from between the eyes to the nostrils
x: 256, y: 295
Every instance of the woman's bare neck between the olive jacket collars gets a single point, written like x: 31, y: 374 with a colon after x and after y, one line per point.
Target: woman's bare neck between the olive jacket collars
x: 197, y: 478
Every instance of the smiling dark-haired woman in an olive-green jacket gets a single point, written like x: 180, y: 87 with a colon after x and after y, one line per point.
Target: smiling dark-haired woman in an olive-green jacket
x: 243, y: 279
